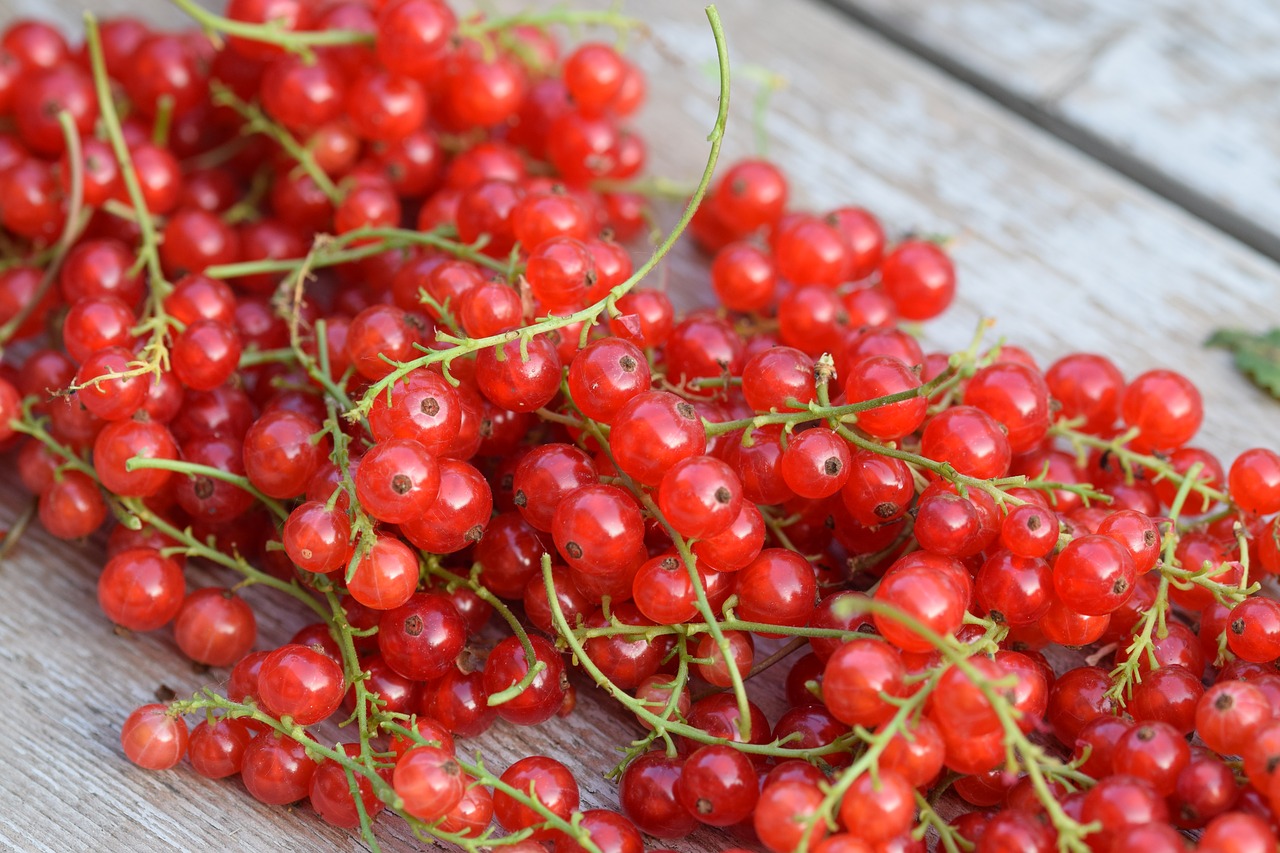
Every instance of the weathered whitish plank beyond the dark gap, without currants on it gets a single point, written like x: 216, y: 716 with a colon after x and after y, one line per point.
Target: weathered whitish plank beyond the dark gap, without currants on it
x: 1180, y: 94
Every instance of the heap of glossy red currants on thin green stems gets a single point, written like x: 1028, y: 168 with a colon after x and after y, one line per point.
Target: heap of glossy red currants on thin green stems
x: 342, y: 300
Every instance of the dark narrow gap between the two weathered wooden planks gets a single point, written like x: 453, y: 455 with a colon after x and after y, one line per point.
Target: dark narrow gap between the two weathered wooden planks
x: 1089, y: 143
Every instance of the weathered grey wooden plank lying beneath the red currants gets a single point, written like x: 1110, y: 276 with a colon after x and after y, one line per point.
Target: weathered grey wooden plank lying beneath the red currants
x: 1064, y: 253
